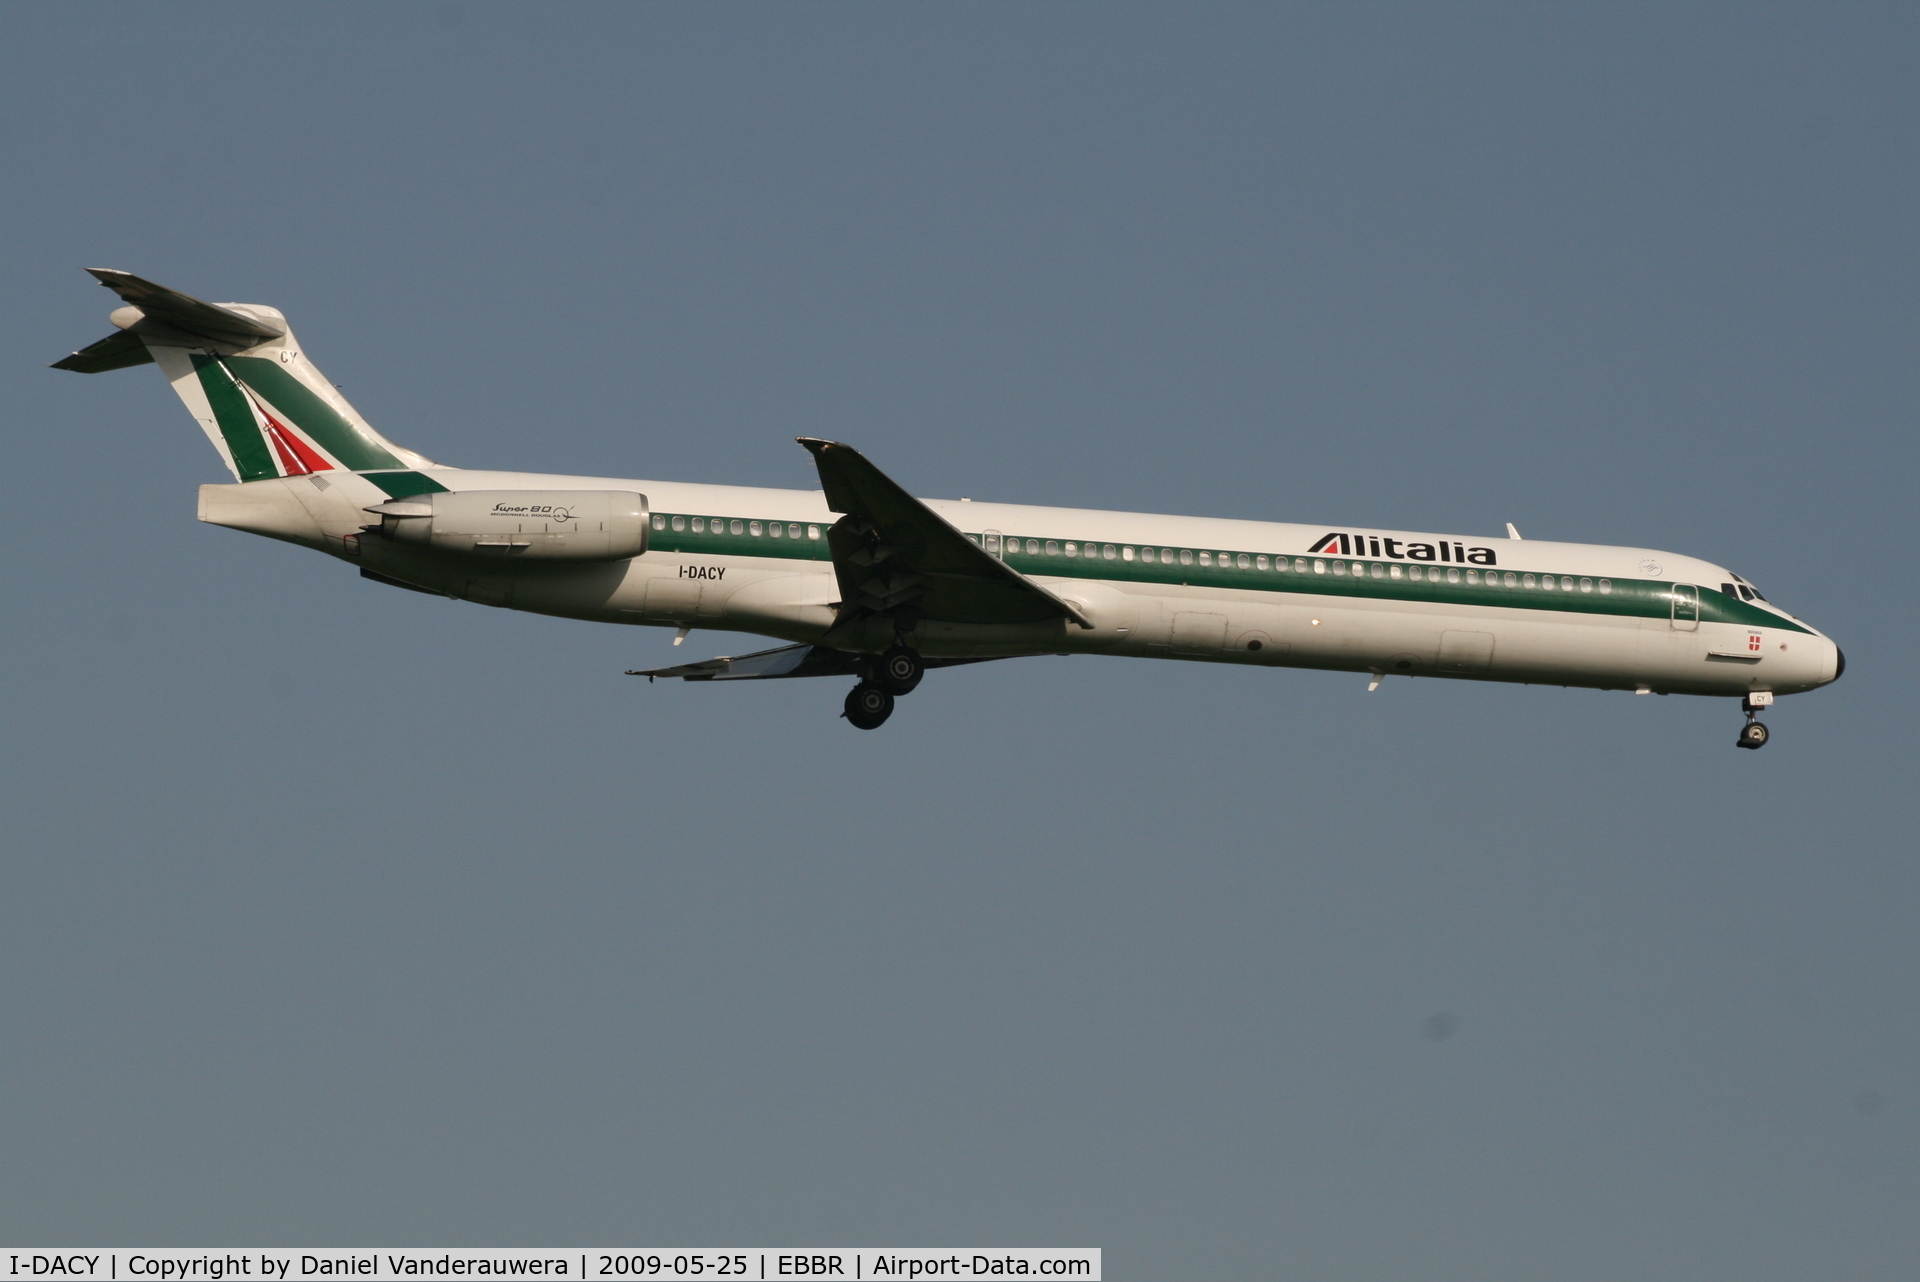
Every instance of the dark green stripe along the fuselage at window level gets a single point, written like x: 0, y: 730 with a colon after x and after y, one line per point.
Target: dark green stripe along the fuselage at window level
x: 1370, y: 581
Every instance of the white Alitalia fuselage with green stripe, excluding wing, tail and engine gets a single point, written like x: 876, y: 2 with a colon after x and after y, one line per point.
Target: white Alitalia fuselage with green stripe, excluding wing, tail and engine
x: 1151, y: 586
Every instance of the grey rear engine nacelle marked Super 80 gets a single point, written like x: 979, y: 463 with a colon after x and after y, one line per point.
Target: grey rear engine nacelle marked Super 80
x: 535, y: 525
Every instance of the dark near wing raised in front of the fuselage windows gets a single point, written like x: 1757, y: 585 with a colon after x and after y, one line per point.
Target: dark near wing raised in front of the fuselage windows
x: 894, y: 556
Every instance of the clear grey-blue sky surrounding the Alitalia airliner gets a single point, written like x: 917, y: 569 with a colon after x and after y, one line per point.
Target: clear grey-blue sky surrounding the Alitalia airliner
x: 337, y: 914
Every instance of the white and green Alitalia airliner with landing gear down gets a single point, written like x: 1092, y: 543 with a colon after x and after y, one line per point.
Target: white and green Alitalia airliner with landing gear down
x: 863, y: 581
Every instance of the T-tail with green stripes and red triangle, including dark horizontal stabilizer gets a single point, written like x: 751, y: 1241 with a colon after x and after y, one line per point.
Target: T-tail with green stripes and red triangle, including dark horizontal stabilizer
x: 245, y: 379
